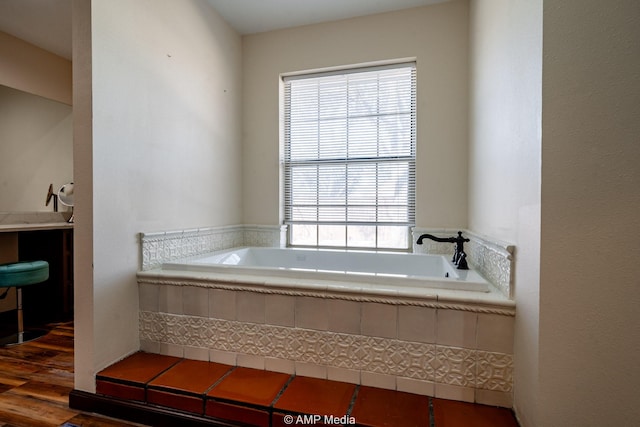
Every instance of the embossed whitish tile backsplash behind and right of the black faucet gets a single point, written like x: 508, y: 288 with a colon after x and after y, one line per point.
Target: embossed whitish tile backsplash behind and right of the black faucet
x: 492, y: 258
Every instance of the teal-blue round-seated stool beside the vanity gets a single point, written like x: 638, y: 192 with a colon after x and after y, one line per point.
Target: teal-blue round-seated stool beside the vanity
x: 17, y: 275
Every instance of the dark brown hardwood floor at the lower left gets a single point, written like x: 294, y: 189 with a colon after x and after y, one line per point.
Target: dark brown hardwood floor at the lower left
x: 35, y: 381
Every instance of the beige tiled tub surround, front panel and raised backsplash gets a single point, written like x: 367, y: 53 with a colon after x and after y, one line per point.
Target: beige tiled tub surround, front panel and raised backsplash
x: 450, y: 344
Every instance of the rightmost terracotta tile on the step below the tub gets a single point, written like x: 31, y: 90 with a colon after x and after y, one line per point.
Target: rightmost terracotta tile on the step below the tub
x: 450, y: 413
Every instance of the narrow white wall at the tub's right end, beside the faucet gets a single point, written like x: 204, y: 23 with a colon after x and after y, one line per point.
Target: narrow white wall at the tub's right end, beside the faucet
x: 505, y: 162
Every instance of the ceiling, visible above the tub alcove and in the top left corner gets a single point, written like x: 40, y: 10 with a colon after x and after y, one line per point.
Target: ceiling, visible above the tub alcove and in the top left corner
x: 47, y: 23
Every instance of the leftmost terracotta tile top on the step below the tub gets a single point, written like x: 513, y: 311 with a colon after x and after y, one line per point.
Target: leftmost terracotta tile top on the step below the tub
x: 139, y: 368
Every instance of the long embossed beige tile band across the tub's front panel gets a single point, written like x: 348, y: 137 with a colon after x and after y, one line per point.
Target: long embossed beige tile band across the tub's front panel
x: 462, y: 367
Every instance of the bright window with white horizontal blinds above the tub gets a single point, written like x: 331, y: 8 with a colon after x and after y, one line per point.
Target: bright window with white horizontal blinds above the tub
x: 349, y: 157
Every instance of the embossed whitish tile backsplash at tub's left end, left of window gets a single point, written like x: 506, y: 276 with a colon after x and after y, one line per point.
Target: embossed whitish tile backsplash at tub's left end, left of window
x: 158, y: 248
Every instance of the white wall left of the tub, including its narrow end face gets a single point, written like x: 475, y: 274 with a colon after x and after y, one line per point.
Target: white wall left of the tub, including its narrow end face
x: 165, y: 152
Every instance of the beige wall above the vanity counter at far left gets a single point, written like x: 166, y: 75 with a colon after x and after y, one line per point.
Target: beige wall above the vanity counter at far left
x: 35, y: 124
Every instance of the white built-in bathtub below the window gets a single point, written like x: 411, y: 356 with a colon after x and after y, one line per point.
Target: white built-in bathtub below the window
x: 357, y: 270
